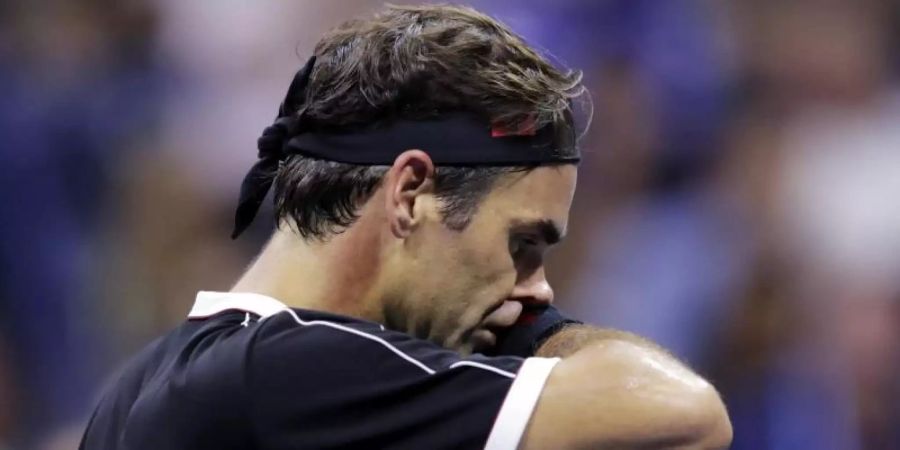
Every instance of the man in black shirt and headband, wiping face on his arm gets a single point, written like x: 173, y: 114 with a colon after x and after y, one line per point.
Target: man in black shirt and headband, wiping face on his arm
x: 423, y: 163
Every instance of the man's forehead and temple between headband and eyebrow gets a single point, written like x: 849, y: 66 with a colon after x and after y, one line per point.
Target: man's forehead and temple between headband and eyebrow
x: 542, y: 194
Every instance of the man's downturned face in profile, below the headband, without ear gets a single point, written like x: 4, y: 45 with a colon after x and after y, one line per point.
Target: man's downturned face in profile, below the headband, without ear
x: 460, y: 287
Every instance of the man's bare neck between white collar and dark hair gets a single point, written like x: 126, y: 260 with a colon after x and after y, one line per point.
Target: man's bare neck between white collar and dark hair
x: 332, y: 276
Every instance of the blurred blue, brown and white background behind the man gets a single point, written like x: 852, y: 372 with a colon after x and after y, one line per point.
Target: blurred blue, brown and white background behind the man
x: 739, y: 201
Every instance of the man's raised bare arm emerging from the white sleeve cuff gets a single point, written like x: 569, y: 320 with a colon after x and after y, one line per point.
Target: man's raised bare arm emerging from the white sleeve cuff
x: 615, y: 390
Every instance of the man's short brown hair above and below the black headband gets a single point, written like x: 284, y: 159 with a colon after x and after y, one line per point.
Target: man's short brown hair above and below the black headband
x: 414, y: 62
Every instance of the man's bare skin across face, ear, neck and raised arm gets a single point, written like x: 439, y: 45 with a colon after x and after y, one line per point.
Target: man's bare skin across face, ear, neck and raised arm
x: 399, y: 265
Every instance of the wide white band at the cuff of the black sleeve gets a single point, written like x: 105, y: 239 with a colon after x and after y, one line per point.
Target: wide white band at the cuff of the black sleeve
x: 519, y: 404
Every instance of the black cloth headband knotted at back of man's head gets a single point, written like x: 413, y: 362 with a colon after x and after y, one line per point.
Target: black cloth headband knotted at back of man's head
x: 451, y: 139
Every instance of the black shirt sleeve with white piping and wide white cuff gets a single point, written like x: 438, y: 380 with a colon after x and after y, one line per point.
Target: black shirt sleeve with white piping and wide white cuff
x: 317, y: 383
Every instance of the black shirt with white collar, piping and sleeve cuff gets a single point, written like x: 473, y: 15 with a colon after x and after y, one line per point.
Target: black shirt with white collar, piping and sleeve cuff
x: 247, y: 372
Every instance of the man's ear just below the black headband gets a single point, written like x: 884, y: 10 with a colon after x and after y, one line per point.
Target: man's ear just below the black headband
x: 411, y: 176
